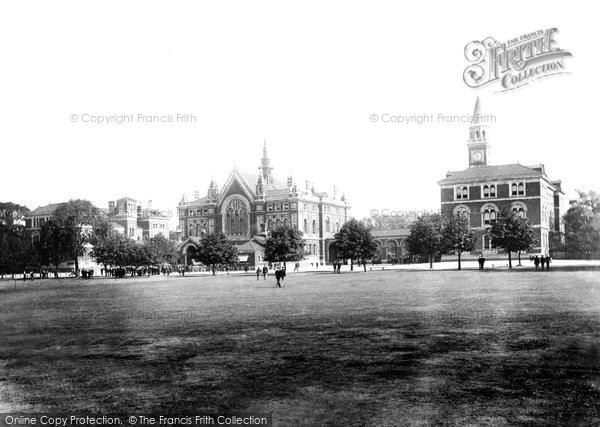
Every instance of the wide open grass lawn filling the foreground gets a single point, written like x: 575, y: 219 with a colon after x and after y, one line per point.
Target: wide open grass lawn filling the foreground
x: 384, y: 348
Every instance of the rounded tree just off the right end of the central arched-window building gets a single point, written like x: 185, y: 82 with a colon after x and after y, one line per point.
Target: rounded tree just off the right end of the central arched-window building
x: 355, y: 241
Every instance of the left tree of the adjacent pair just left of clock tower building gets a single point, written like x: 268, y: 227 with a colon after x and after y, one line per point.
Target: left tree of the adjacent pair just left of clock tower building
x: 426, y: 237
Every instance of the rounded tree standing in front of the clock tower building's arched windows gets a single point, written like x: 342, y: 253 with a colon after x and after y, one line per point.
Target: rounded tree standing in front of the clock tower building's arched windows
x: 512, y: 233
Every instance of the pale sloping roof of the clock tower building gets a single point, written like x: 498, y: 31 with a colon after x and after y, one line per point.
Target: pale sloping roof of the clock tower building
x: 490, y: 173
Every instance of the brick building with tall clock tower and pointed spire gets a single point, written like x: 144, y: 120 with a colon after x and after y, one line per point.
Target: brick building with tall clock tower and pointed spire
x: 482, y: 191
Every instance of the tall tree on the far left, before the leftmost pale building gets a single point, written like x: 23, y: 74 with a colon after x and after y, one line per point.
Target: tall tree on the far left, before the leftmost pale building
x: 78, y: 219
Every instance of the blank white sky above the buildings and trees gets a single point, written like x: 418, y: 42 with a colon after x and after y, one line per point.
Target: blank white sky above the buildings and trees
x: 304, y: 76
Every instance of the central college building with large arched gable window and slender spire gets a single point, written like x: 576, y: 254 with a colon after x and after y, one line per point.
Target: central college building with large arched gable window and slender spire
x: 249, y: 206
